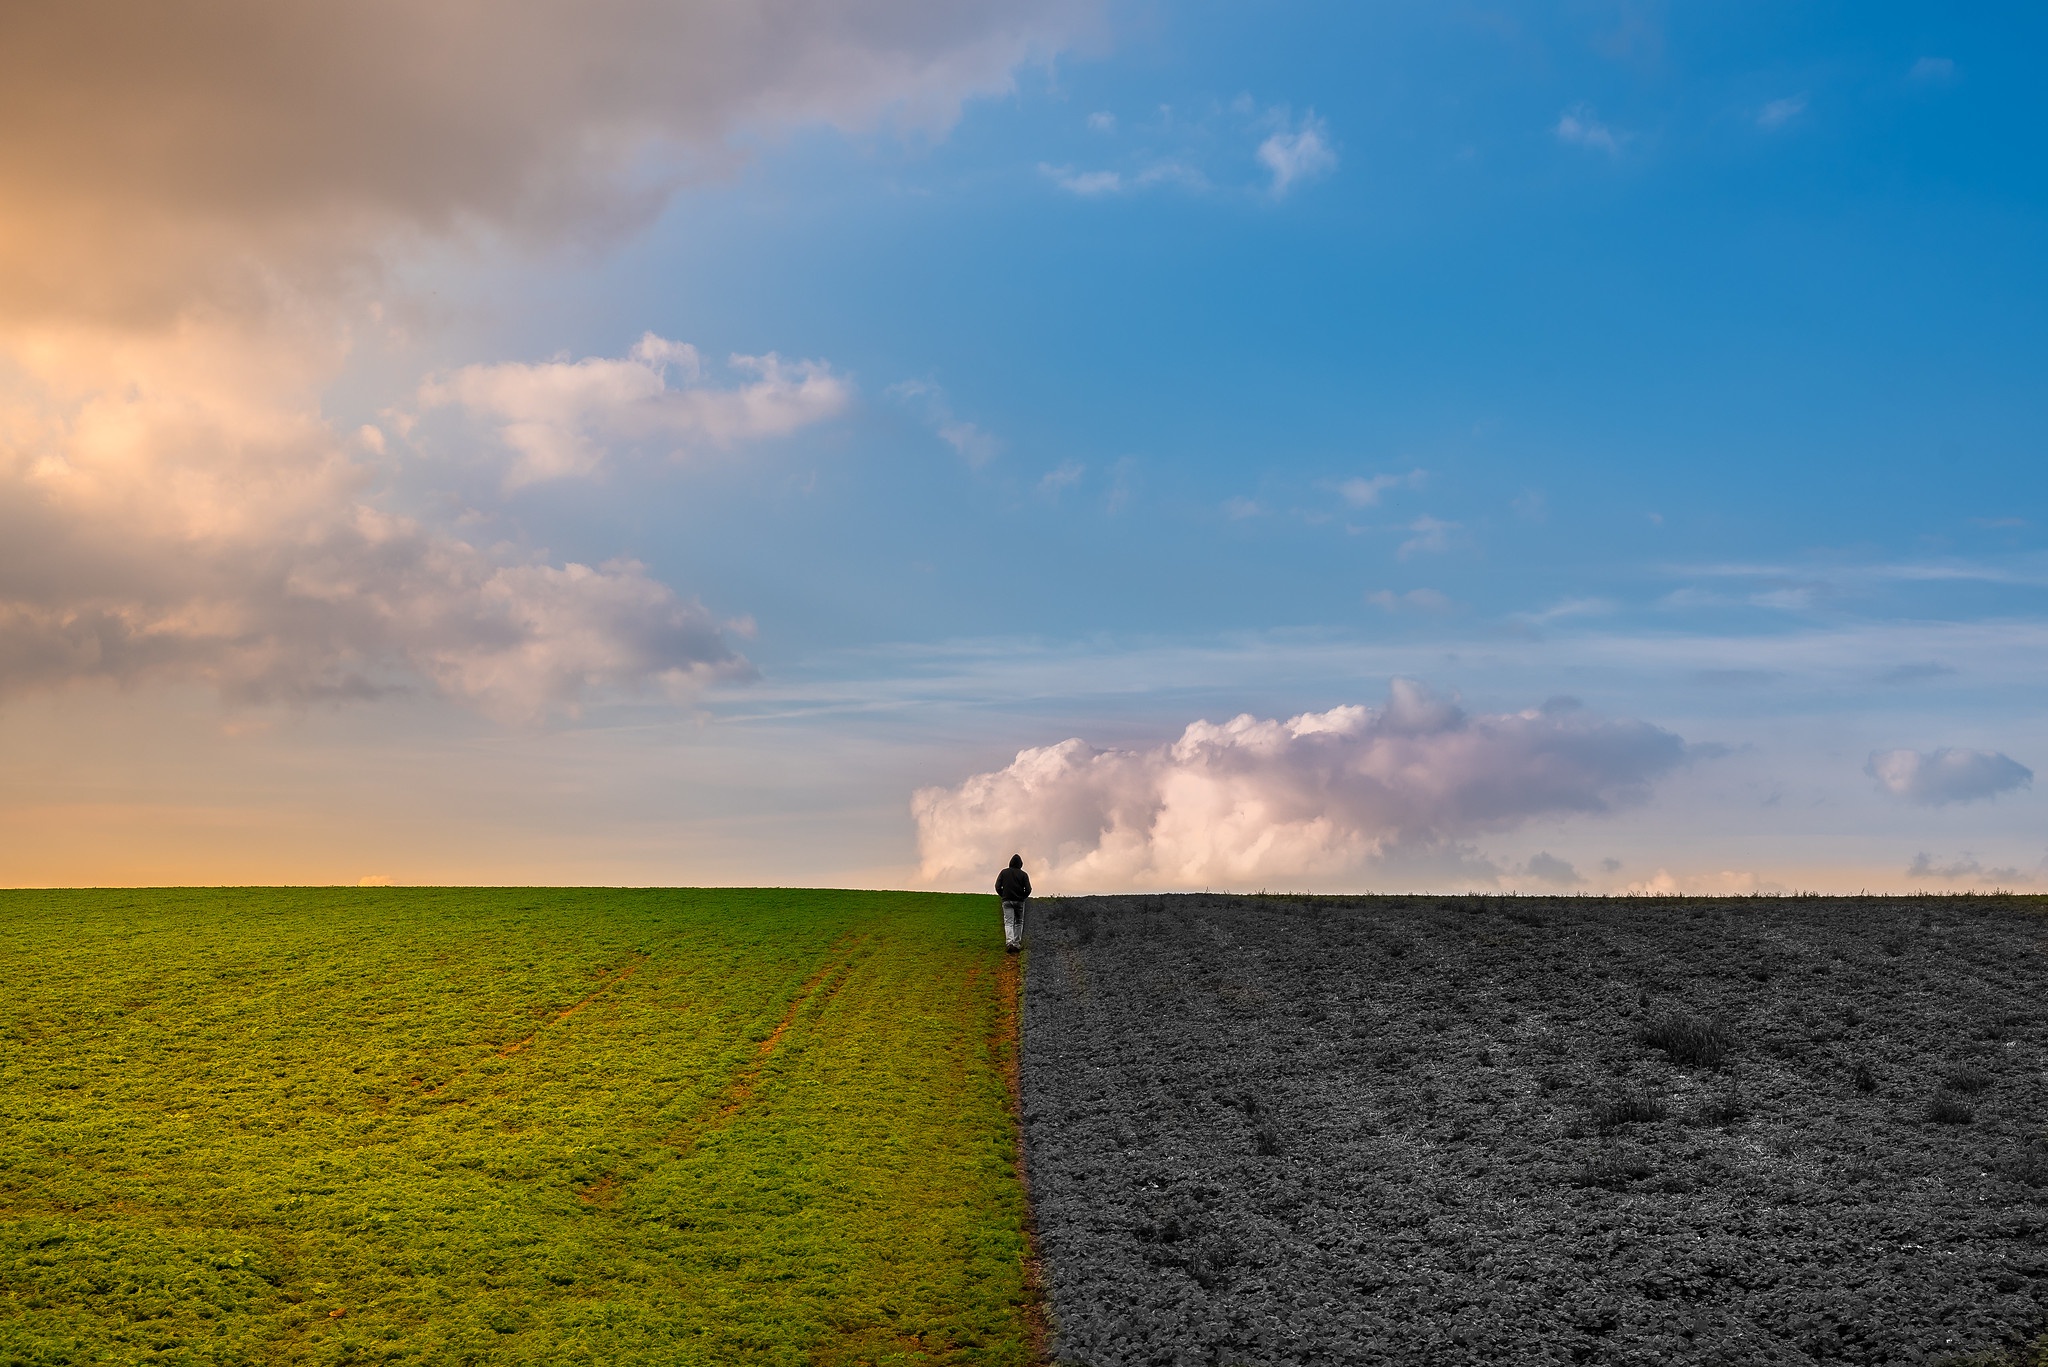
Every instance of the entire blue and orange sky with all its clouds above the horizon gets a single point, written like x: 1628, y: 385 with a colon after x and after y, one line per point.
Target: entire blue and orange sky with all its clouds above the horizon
x: 1535, y: 448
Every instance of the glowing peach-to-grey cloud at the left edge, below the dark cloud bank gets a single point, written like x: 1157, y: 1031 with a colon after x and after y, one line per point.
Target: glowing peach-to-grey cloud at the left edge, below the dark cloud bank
x: 183, y: 513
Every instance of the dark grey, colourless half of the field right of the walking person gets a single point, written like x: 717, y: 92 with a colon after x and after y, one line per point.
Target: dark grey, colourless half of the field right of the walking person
x: 1531, y: 1130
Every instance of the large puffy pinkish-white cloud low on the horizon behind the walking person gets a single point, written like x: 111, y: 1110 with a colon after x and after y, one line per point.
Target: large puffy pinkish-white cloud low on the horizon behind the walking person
x: 1316, y: 798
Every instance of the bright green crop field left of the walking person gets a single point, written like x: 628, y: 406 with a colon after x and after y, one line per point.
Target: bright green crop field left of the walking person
x: 507, y: 1126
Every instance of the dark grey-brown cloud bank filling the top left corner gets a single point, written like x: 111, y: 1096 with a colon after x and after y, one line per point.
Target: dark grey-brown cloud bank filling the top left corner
x: 157, y: 157
